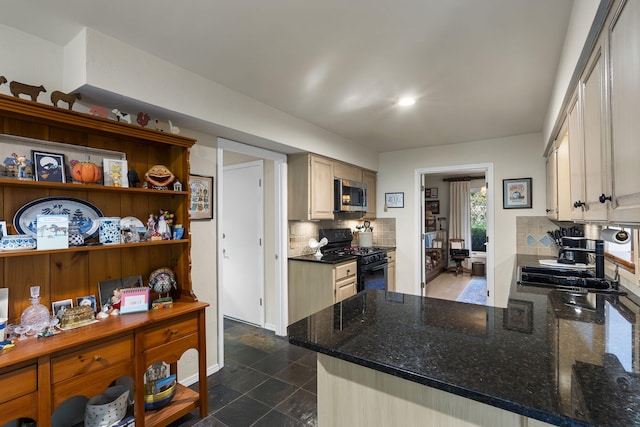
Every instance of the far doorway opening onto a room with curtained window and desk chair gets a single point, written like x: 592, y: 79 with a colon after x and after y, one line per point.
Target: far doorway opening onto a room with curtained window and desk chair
x: 440, y: 222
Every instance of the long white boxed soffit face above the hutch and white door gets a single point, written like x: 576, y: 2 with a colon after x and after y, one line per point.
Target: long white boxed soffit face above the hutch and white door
x: 119, y: 68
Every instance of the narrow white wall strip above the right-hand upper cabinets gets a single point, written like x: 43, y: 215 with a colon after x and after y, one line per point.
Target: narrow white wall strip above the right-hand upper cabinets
x: 582, y: 16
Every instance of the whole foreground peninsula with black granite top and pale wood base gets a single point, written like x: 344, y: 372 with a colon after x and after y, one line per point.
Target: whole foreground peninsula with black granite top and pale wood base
x: 550, y: 357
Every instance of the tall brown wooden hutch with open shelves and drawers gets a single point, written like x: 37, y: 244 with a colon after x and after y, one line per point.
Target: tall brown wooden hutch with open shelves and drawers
x: 38, y: 374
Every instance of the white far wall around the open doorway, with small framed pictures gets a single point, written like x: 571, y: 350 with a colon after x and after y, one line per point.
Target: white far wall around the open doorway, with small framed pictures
x: 512, y: 157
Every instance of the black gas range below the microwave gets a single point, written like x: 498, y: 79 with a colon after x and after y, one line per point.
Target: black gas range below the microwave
x: 372, y: 262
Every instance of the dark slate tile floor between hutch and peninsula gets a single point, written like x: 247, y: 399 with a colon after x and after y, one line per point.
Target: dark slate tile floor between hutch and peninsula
x: 265, y: 382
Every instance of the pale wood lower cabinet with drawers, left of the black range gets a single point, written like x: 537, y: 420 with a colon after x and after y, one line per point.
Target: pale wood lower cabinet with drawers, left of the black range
x: 316, y: 285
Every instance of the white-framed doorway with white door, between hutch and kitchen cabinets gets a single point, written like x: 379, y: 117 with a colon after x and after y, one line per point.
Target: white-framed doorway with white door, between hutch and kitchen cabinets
x: 268, y: 303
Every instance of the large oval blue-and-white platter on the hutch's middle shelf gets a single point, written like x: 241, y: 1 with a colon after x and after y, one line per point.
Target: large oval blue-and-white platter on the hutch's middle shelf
x: 83, y: 212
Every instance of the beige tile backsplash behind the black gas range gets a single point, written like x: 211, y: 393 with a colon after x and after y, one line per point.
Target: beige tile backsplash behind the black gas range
x: 384, y: 233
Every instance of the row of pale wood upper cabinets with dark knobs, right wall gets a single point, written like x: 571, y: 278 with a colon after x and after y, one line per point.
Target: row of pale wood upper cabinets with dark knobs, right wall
x: 603, y: 127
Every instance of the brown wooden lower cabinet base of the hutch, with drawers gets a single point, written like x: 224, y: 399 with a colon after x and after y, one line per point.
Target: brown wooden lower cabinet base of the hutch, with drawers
x: 39, y: 375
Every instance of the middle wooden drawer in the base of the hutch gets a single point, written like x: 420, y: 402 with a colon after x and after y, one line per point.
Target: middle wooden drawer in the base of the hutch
x: 91, y: 359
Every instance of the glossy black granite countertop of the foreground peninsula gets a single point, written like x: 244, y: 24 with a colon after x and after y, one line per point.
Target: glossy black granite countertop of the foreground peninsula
x: 566, y: 359
